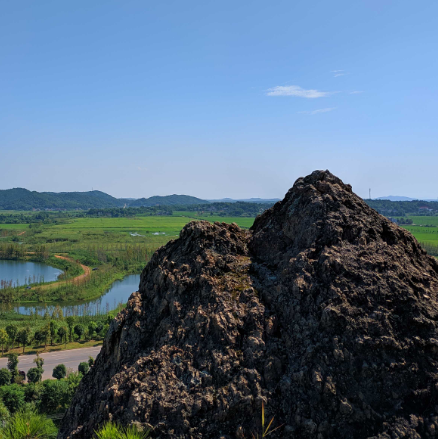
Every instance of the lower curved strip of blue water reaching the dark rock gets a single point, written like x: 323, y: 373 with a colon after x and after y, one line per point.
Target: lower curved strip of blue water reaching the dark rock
x: 119, y: 292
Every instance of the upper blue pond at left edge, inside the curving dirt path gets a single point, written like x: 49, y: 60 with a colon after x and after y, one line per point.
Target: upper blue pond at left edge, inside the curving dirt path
x: 27, y: 272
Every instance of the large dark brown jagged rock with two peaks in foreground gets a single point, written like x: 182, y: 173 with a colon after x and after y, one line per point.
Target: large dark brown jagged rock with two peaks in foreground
x: 324, y: 311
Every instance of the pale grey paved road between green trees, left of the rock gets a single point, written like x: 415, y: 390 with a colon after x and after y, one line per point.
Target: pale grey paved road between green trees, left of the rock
x: 71, y: 358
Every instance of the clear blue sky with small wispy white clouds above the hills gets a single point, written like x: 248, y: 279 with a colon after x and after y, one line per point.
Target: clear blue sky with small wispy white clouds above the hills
x: 218, y: 99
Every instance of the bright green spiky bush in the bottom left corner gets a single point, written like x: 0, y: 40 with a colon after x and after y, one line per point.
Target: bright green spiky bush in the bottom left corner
x: 29, y: 424
